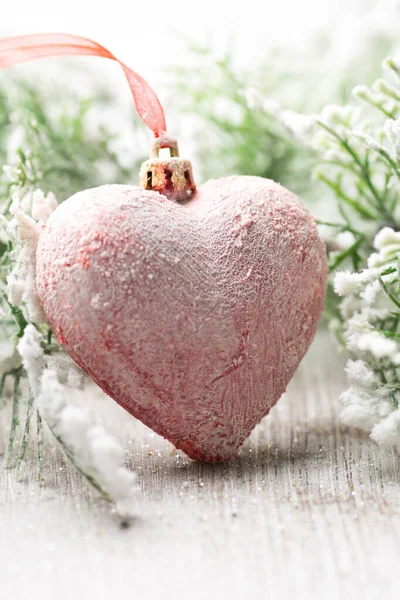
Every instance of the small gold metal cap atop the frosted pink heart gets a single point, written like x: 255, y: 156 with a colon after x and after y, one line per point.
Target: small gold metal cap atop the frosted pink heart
x: 173, y: 176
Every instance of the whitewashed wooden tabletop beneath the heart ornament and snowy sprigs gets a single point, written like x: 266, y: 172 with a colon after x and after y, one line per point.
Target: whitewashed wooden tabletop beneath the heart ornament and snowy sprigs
x: 310, y: 510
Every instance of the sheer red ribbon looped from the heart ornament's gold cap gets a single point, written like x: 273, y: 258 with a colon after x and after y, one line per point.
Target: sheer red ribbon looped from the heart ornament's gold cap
x: 15, y: 50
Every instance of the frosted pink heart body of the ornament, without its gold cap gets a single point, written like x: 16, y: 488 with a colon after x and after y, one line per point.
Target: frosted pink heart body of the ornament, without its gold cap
x: 192, y: 317
